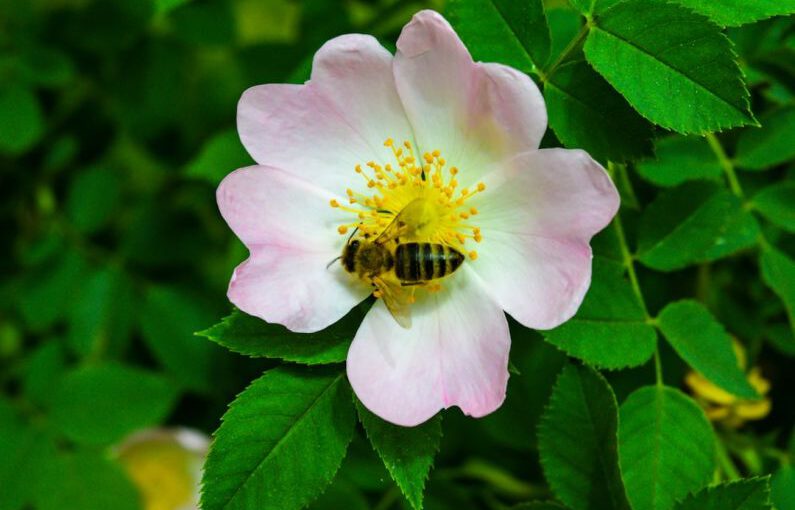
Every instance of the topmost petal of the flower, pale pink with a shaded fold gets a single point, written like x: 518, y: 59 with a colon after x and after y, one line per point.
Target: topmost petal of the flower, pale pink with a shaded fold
x: 476, y: 114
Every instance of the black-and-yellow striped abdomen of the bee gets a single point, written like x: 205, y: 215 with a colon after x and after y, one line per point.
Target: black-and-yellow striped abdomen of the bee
x: 419, y: 262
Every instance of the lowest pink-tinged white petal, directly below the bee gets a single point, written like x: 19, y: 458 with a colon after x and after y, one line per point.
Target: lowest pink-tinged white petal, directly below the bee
x: 455, y: 354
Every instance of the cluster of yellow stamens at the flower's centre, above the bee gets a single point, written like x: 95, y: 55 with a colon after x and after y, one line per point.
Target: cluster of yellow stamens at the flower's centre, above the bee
x: 426, y: 192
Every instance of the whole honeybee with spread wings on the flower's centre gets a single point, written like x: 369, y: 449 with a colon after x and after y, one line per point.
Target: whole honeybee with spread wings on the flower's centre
x: 395, y: 268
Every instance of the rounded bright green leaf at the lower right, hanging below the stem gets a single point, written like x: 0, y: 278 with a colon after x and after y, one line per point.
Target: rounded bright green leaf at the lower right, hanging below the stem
x: 658, y: 428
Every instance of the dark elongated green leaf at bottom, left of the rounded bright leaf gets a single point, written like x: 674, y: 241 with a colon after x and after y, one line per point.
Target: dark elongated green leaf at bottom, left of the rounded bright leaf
x: 578, y: 443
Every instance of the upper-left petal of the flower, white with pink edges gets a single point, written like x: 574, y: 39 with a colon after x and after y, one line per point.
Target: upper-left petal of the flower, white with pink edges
x: 338, y: 119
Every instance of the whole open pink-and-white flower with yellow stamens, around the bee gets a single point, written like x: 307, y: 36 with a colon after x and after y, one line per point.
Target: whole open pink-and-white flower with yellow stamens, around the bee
x: 524, y: 215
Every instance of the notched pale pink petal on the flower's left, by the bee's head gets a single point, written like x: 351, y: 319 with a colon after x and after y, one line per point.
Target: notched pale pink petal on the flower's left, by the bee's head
x: 290, y: 228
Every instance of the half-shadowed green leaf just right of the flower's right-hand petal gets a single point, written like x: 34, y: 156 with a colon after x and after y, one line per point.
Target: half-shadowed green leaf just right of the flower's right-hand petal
x: 695, y: 222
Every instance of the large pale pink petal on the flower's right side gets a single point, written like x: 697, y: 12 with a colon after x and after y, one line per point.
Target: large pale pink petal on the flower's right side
x: 537, y: 216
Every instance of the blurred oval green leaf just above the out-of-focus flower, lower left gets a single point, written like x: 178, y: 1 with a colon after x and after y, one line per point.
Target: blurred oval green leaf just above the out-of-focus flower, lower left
x: 122, y: 399
